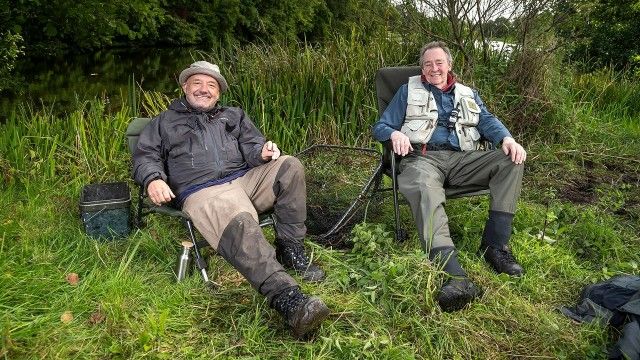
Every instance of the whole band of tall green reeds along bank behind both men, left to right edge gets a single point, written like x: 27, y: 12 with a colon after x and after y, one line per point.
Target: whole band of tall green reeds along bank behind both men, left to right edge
x: 297, y: 94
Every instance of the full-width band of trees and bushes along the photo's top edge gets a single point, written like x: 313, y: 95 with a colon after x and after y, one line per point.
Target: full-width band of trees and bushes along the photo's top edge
x: 591, y: 33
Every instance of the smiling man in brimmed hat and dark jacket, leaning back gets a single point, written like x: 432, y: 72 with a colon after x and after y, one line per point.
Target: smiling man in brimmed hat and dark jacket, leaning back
x: 214, y: 163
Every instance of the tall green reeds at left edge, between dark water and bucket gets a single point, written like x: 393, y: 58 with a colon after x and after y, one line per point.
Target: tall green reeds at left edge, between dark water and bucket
x: 87, y: 144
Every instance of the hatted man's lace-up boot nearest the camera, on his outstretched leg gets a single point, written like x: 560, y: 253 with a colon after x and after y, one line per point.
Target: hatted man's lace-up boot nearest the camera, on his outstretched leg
x: 301, y: 312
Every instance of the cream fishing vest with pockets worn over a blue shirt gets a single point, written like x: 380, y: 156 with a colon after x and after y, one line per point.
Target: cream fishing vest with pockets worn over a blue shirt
x: 421, y: 117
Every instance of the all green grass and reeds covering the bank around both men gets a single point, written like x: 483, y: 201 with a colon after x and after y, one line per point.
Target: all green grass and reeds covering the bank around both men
x: 581, y: 190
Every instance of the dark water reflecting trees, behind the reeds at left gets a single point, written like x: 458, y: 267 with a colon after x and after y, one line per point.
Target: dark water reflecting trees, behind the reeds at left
x: 60, y: 83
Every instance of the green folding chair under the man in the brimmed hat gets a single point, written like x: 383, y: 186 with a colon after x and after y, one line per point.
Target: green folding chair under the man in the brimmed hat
x: 146, y: 207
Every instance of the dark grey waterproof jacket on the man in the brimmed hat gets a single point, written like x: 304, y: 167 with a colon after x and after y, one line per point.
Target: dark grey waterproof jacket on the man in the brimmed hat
x: 189, y: 147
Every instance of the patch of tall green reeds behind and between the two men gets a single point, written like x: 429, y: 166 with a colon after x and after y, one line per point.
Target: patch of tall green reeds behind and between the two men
x: 300, y: 94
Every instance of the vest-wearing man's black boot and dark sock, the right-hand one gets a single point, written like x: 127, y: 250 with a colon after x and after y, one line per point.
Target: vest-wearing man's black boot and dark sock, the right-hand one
x: 494, y: 246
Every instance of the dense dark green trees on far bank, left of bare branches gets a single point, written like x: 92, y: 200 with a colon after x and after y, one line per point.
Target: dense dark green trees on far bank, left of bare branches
x: 60, y: 26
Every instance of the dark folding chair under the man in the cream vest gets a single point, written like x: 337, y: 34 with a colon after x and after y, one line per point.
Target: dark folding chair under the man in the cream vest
x: 388, y: 81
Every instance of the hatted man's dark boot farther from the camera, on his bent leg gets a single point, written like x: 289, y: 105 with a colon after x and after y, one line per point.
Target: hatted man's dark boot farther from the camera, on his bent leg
x: 291, y: 255
